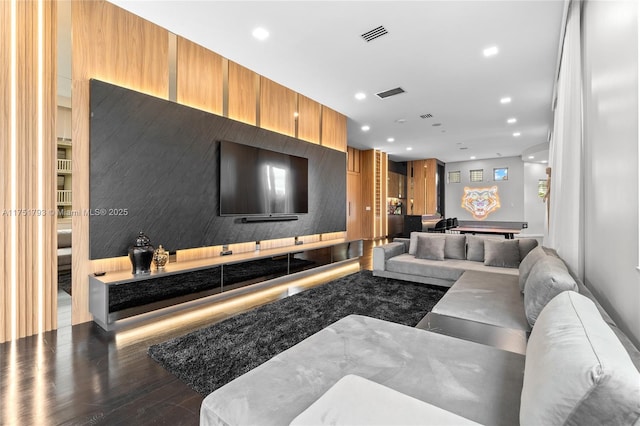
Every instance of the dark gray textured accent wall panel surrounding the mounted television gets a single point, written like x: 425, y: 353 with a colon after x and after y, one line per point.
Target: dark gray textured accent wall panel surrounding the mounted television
x: 155, y: 168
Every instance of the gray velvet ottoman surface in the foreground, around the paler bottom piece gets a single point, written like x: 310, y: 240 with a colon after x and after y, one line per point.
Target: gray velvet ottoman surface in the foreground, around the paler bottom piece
x: 477, y: 382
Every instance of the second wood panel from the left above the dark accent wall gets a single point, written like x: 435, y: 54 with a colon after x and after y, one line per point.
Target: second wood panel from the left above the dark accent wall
x: 199, y: 79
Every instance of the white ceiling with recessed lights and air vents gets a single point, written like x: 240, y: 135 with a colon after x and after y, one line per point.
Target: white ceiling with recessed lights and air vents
x: 433, y: 50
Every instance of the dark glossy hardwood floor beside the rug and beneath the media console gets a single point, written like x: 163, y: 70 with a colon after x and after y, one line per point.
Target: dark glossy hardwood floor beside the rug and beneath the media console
x: 82, y: 375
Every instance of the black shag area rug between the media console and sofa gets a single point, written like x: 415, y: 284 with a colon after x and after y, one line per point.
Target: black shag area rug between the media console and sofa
x: 208, y: 358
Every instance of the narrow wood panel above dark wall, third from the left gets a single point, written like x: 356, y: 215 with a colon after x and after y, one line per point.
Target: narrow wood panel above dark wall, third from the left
x: 243, y: 91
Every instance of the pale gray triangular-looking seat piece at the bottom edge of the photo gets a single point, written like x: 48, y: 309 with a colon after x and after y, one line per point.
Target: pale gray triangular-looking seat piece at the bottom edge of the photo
x: 354, y: 400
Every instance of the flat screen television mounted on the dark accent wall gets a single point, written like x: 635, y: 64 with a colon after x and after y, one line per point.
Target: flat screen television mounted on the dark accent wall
x: 260, y: 182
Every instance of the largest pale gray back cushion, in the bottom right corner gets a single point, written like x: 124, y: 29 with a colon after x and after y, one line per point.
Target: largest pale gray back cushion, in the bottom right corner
x: 576, y: 370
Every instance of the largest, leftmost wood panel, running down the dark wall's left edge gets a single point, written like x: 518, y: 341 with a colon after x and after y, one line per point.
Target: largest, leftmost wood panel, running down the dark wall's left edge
x: 116, y: 46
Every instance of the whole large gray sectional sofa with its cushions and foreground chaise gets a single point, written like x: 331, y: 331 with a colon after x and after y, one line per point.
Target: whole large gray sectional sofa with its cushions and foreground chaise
x: 577, y: 366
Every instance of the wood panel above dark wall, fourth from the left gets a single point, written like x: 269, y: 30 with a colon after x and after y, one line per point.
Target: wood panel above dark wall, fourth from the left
x: 277, y: 107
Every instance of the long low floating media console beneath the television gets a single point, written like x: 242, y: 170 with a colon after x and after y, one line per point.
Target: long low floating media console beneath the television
x: 117, y: 299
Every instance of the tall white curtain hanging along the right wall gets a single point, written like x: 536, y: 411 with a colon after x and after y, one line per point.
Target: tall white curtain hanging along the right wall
x: 565, y: 226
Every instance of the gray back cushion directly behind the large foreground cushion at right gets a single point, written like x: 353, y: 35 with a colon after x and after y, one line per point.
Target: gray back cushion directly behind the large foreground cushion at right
x: 548, y: 278
